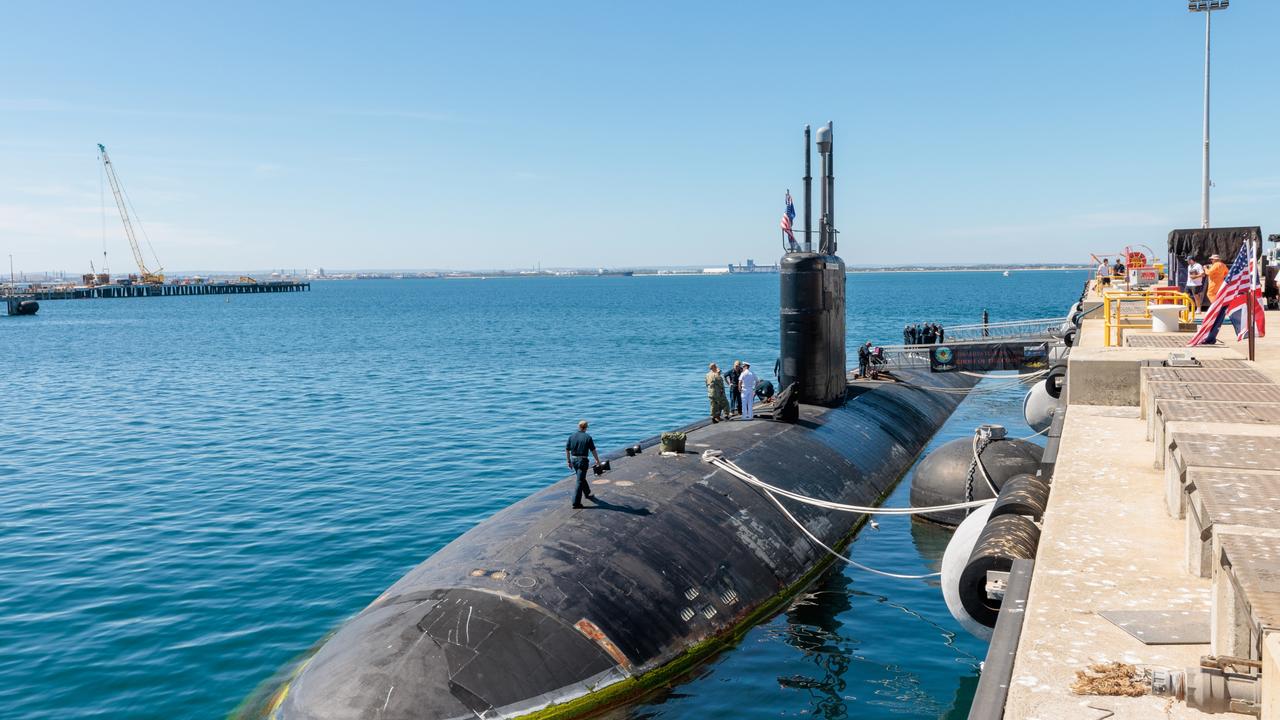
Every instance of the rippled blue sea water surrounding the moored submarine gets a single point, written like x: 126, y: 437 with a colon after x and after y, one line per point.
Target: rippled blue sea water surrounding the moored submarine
x: 196, y: 490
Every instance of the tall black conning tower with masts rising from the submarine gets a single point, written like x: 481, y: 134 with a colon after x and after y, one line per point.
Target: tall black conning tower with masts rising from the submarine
x: 812, y: 304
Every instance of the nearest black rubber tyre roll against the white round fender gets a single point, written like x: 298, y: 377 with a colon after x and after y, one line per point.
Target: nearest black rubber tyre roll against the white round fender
x: 1004, y: 540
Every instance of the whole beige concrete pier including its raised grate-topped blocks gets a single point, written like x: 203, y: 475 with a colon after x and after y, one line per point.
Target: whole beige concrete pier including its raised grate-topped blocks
x: 1110, y: 543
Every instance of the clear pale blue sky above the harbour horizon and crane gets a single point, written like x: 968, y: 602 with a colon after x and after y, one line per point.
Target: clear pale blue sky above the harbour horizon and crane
x: 504, y: 135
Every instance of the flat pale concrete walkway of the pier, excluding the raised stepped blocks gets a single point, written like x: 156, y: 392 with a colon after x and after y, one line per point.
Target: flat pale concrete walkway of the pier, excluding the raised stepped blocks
x: 1109, y: 543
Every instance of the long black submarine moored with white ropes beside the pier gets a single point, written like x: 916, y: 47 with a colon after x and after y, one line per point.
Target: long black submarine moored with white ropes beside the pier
x: 546, y: 612
